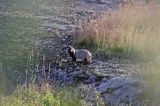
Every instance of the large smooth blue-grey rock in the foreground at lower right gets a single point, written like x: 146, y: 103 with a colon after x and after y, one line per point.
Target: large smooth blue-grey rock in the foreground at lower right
x: 122, y: 90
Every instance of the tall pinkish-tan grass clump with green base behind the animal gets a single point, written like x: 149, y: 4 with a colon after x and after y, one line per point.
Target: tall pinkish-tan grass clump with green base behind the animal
x: 128, y: 31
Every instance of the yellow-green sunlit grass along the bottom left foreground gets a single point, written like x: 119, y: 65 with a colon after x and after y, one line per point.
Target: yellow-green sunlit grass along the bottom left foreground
x: 42, y: 96
